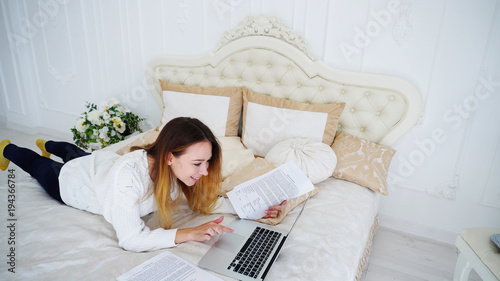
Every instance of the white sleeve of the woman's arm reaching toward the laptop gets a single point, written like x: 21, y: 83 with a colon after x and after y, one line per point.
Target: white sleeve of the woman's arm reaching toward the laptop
x: 124, y: 213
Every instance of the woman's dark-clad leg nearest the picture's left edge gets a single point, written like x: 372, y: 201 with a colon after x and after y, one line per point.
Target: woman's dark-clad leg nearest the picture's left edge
x: 44, y: 170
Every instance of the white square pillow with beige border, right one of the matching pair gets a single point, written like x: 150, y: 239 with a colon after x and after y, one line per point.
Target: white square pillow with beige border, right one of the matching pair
x: 268, y: 120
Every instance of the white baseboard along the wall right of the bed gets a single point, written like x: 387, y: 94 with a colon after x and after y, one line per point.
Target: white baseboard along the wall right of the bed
x: 420, y: 230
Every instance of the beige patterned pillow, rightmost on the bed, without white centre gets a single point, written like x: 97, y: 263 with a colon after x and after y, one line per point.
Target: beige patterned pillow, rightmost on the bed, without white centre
x: 362, y: 162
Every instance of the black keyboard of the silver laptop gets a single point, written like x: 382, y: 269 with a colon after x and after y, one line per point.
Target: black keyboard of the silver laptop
x: 254, y: 254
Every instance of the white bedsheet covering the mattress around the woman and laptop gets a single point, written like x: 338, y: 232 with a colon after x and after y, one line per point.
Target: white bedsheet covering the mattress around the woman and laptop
x: 56, y: 242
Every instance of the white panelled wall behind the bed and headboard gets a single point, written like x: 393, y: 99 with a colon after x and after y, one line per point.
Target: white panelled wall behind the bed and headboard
x: 57, y: 54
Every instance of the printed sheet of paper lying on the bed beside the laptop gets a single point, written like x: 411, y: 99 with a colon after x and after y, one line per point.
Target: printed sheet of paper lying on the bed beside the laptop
x: 167, y: 267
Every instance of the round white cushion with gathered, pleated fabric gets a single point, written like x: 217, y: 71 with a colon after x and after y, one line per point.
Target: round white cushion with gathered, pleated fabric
x: 316, y: 159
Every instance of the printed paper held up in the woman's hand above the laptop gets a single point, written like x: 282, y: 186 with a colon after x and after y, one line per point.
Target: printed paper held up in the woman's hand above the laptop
x: 250, y: 199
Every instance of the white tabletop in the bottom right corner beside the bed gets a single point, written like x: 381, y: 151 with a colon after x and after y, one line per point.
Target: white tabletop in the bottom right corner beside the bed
x: 480, y: 242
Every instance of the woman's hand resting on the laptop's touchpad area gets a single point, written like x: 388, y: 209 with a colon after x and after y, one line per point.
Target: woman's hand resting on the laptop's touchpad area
x: 202, y: 232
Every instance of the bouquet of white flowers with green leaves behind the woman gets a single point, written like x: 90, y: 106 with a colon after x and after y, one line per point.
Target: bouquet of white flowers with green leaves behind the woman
x: 104, y: 125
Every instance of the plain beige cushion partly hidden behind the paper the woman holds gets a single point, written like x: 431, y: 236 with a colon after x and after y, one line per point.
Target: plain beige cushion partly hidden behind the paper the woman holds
x: 259, y: 167
